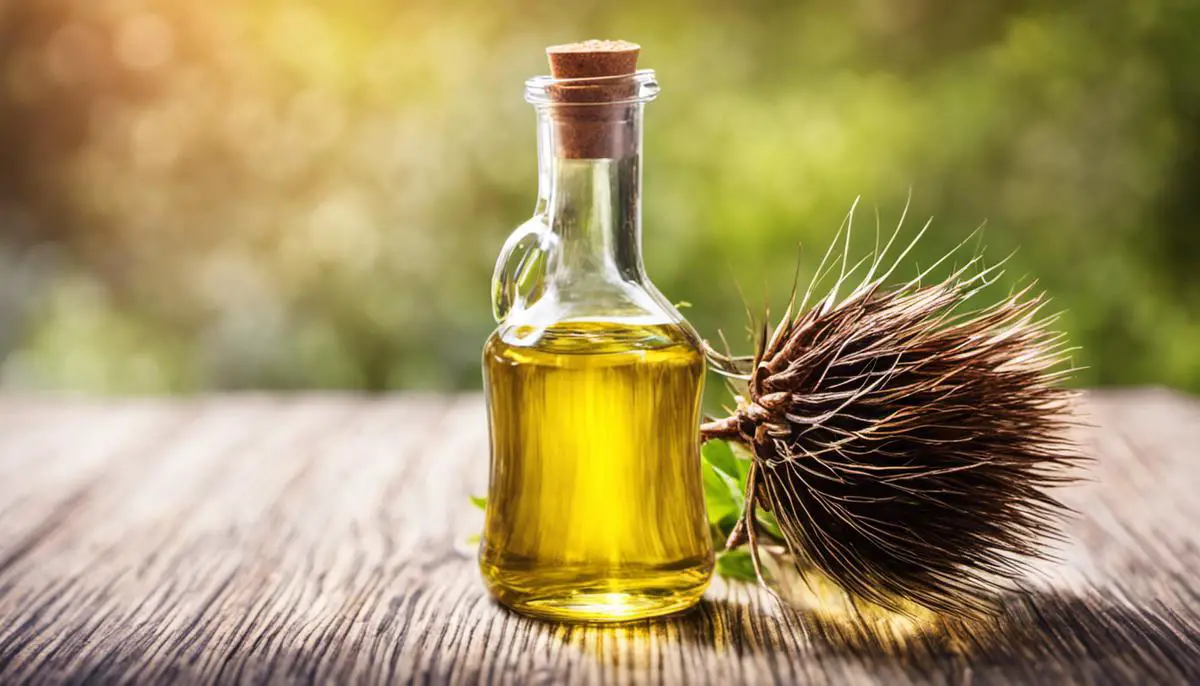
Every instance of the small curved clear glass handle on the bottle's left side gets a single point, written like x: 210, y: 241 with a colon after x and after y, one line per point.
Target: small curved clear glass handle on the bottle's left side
x: 520, y: 273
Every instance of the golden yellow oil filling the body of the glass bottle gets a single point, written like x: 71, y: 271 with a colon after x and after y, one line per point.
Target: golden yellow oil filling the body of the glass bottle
x: 596, y: 509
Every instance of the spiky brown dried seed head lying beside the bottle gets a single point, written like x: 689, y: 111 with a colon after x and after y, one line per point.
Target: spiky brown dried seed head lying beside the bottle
x: 905, y: 446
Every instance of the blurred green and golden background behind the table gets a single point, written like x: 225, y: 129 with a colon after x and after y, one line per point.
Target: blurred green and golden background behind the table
x: 286, y: 195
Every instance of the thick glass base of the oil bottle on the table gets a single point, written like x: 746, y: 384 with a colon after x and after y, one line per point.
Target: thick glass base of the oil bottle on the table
x: 609, y: 601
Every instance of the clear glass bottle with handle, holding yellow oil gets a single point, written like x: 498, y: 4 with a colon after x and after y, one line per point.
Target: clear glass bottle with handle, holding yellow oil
x: 596, y: 508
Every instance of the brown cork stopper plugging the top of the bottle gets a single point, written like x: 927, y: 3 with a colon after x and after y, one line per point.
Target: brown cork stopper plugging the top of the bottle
x: 587, y: 128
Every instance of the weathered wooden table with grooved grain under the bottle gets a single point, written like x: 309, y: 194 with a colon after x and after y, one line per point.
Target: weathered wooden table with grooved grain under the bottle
x: 322, y: 539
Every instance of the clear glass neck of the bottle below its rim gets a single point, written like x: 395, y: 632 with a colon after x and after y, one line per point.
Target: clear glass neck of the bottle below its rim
x: 593, y: 204
